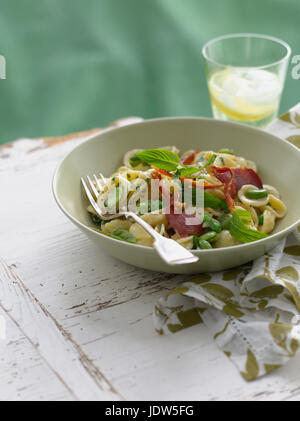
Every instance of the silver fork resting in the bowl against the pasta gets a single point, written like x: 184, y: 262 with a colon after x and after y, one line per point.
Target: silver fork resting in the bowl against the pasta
x: 169, y: 250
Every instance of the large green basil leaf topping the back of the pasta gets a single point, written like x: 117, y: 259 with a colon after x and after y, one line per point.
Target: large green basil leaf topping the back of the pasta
x: 160, y: 158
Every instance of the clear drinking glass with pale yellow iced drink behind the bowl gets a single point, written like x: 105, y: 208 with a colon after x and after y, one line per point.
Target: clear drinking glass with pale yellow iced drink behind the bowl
x: 245, y: 76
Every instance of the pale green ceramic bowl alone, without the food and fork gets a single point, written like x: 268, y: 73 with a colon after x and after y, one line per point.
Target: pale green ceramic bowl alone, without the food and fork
x: 278, y: 162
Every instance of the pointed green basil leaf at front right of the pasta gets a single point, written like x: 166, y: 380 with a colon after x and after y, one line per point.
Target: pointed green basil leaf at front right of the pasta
x: 240, y: 231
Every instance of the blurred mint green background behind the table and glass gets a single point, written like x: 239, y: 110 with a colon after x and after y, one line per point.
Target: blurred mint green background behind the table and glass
x: 74, y: 64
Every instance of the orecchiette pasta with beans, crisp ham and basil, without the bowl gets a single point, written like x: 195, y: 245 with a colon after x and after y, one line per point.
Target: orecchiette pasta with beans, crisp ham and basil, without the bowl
x: 163, y: 189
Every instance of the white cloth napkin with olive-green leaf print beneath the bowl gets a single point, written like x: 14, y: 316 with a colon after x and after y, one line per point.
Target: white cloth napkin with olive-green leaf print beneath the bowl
x: 253, y: 312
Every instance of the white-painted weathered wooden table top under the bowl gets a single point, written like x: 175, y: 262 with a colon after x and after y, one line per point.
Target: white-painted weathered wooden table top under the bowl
x: 79, y: 323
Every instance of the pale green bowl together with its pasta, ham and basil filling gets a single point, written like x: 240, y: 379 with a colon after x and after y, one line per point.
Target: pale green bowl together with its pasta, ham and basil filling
x: 225, y: 191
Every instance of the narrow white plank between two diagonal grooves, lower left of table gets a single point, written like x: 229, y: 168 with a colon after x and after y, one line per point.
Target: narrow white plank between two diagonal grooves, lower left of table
x: 51, y: 341
